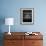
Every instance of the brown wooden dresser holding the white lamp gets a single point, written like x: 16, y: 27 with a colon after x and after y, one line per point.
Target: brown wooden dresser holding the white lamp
x: 20, y: 39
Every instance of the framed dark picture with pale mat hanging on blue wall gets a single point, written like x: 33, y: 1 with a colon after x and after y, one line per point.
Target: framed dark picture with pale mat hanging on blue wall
x: 27, y: 15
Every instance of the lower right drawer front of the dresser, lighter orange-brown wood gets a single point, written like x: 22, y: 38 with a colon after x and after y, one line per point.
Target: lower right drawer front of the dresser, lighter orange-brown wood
x: 33, y: 43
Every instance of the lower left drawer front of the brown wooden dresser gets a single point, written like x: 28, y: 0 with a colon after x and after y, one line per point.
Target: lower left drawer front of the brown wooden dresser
x: 13, y: 43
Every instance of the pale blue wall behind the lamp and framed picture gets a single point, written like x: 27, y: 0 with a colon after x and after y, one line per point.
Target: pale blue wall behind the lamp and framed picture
x: 11, y: 8
